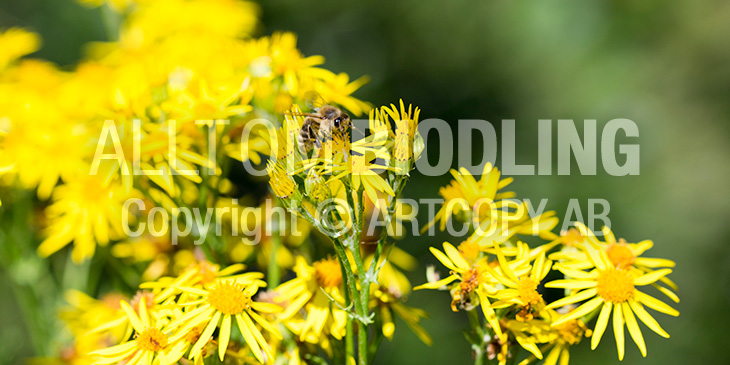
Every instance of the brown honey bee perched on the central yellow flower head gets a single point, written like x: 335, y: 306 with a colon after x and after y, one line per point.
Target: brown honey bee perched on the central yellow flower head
x: 319, y: 127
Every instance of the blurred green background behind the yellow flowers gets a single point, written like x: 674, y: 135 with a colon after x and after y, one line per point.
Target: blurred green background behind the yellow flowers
x: 663, y: 64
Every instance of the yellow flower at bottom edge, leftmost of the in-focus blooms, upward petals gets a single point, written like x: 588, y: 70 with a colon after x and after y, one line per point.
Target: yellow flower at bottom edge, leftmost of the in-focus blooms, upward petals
x: 151, y: 345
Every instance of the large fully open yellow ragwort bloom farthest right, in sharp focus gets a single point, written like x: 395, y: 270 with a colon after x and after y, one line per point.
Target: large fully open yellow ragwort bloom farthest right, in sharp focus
x: 613, y: 290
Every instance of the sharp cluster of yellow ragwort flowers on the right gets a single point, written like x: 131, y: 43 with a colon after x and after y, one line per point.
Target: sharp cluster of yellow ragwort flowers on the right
x: 493, y: 272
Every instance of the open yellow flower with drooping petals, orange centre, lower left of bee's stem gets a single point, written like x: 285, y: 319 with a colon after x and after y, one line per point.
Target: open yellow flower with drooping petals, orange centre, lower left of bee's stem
x: 217, y: 307
